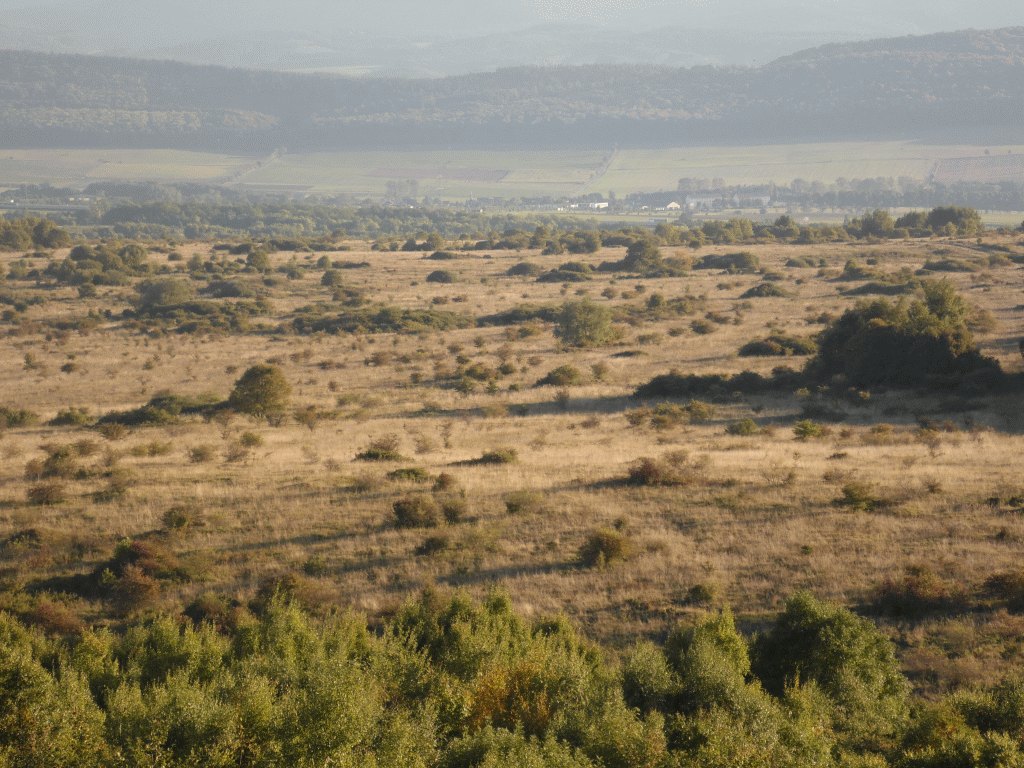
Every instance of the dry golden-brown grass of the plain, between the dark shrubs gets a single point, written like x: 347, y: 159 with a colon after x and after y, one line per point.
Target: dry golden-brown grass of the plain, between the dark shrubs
x: 756, y: 521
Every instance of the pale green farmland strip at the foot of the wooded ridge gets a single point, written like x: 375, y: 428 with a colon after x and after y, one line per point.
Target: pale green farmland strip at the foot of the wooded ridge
x: 459, y: 176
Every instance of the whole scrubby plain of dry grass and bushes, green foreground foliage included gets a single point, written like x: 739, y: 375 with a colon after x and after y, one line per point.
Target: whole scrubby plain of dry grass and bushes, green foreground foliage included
x: 277, y: 543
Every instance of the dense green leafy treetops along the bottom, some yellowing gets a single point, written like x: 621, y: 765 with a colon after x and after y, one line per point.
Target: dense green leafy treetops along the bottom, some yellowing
x: 457, y: 685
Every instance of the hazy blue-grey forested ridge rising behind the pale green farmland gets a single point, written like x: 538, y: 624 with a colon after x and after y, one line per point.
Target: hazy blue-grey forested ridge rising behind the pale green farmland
x: 966, y: 87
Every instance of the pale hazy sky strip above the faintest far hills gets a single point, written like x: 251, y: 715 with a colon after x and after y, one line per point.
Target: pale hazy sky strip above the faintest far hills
x: 200, y: 18
